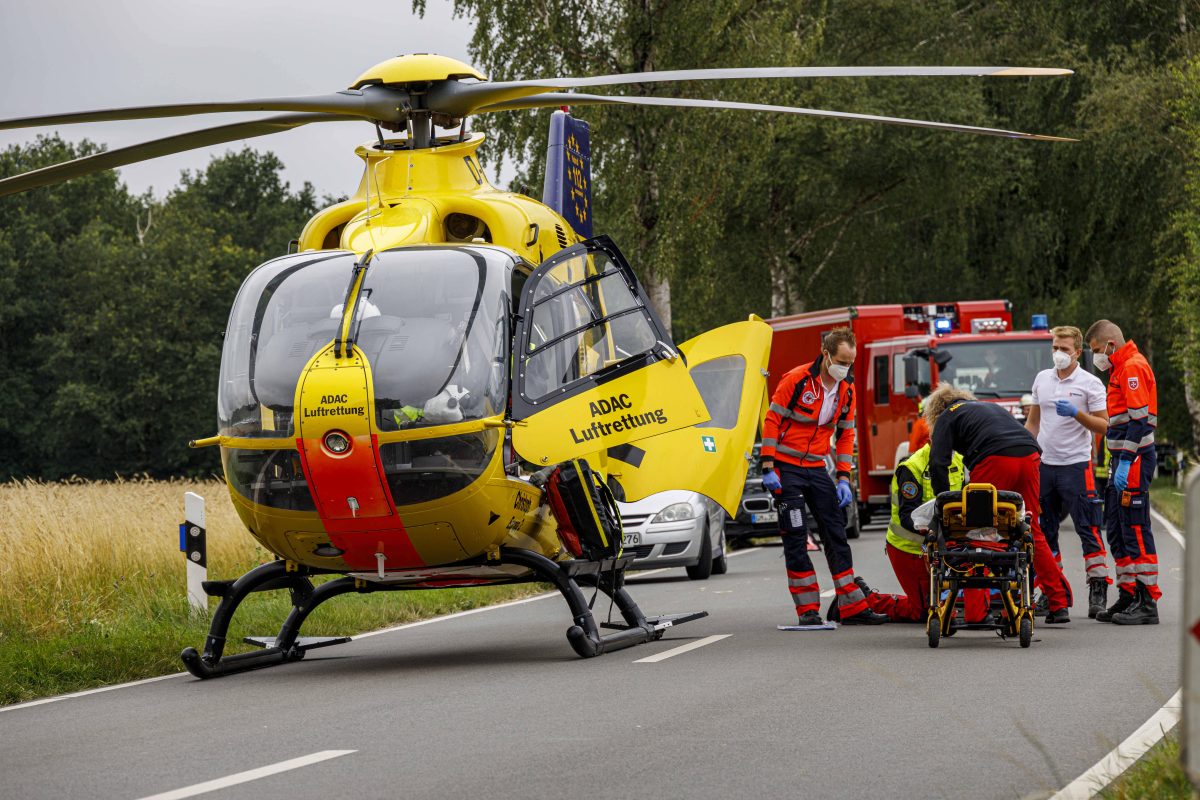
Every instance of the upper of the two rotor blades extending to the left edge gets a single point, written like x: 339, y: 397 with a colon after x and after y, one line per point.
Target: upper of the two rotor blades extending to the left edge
x: 370, y: 103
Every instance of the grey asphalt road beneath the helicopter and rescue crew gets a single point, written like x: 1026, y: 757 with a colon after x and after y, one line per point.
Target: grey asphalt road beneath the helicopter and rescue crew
x: 496, y: 705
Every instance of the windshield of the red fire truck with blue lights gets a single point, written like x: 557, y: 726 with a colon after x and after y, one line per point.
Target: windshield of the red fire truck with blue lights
x: 1001, y: 369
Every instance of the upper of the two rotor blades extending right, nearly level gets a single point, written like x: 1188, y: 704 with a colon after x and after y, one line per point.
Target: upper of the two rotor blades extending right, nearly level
x: 460, y: 99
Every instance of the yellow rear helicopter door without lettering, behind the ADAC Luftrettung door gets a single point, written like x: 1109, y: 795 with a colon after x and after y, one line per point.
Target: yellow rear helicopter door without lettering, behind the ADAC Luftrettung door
x: 730, y: 368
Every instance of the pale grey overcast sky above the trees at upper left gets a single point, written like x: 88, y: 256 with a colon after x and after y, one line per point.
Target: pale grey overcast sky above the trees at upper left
x: 64, y: 56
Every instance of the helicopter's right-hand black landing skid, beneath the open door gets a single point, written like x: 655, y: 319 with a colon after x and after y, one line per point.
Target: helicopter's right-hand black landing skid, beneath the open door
x: 610, y: 578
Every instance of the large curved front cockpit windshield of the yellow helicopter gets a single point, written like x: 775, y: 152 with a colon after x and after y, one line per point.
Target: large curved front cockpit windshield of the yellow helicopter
x: 433, y: 323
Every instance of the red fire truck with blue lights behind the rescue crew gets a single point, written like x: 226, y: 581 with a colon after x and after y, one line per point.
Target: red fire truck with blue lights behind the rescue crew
x: 903, y: 353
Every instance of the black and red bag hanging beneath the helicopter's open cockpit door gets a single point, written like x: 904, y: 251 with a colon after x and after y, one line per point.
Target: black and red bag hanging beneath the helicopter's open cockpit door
x: 589, y: 520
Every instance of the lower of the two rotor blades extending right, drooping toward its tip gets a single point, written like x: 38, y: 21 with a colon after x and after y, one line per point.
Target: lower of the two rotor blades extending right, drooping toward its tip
x: 553, y: 100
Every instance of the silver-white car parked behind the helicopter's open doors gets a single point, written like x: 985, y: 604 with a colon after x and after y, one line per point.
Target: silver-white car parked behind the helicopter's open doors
x: 676, y: 528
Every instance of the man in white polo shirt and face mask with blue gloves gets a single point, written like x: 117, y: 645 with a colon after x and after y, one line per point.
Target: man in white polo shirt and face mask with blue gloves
x: 1070, y: 407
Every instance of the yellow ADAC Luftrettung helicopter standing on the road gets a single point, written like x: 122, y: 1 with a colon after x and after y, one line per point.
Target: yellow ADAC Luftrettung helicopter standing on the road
x: 399, y: 398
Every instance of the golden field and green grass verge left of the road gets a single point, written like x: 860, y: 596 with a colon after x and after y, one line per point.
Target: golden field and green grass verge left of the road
x: 93, y: 587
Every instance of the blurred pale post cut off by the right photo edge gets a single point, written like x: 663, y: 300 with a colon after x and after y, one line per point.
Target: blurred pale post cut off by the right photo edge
x: 1192, y: 630
